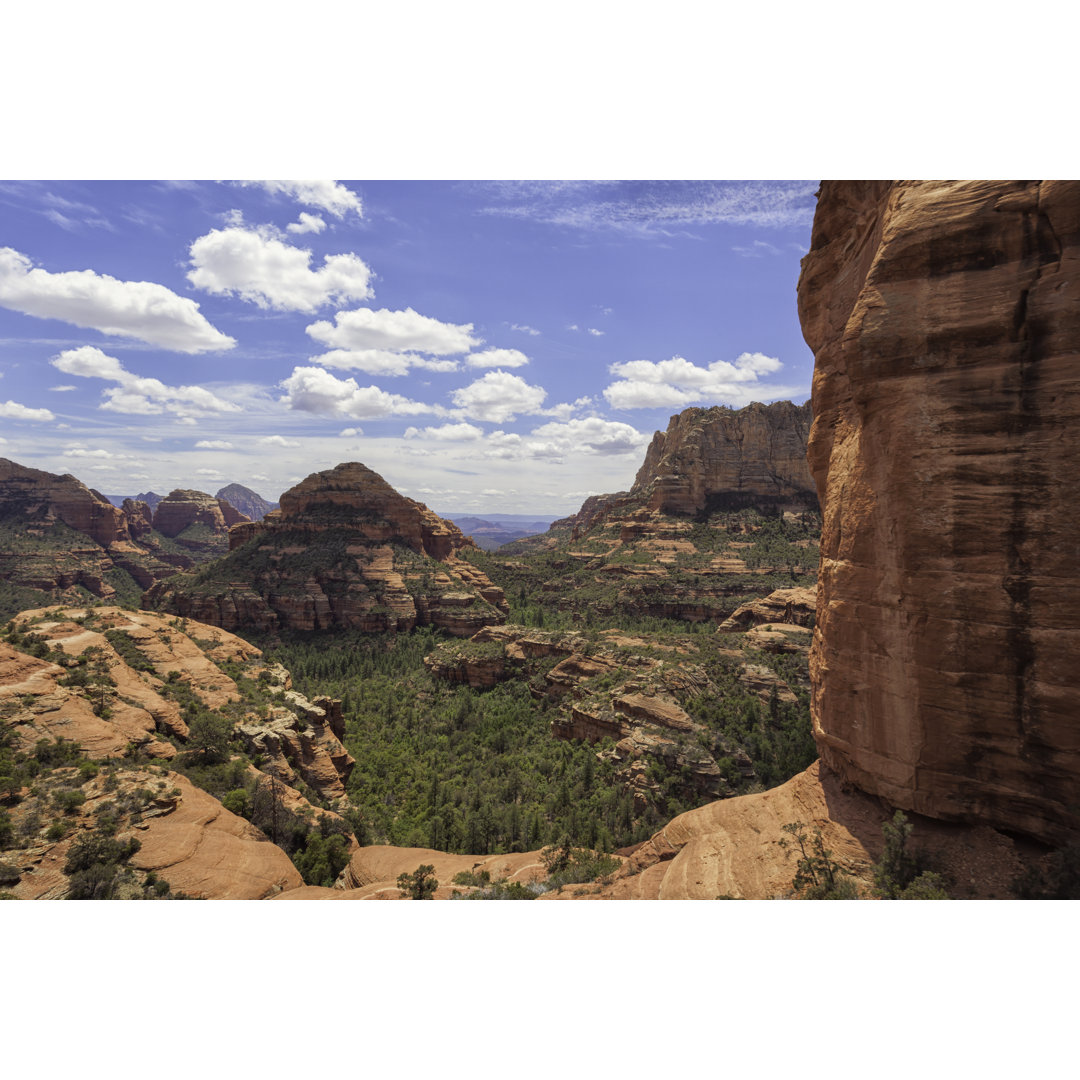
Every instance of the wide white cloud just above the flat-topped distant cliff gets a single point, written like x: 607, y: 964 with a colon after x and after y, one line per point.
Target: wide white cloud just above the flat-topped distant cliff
x: 677, y: 383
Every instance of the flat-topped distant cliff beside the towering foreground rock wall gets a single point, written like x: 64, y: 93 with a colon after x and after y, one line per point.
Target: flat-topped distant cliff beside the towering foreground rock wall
x: 720, y: 458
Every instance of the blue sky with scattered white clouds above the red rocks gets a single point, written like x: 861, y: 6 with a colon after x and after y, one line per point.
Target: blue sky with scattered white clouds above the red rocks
x: 501, y: 347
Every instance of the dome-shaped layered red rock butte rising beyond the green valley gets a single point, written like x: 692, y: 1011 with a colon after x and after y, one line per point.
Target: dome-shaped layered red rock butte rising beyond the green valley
x: 345, y: 551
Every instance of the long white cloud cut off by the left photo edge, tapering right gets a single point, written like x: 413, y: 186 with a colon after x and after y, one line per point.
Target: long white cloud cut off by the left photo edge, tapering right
x: 133, y: 309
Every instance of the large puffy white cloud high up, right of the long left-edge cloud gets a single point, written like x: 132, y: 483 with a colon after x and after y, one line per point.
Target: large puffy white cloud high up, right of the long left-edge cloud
x: 259, y: 267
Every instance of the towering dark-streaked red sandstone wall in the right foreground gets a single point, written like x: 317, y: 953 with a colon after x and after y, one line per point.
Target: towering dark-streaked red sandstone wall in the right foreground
x: 946, y: 321
